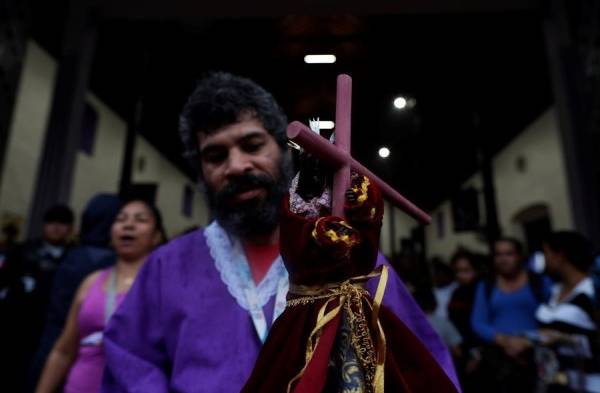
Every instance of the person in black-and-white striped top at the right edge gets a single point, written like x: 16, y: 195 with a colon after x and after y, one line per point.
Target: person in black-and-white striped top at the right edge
x: 569, y: 319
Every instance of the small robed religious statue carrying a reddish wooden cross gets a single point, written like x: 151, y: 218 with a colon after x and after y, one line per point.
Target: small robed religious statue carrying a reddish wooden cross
x: 333, y: 335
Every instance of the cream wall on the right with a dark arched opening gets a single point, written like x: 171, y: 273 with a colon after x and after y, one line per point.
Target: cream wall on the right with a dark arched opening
x: 543, y: 181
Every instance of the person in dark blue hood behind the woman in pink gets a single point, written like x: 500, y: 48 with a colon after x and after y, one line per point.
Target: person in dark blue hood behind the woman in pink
x: 92, y: 253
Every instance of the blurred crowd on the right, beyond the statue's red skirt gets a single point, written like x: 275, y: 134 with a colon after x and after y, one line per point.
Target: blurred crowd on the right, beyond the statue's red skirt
x: 515, y: 322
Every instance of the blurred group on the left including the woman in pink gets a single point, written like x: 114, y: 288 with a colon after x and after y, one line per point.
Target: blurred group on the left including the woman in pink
x: 58, y: 291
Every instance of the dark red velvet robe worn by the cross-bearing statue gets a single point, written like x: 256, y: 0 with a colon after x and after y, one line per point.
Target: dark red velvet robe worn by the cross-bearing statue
x: 313, y: 261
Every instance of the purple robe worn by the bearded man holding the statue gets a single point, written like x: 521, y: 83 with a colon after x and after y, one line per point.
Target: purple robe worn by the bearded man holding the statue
x: 180, y: 330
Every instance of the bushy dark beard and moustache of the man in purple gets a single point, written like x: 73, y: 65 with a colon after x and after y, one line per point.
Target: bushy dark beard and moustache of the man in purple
x: 256, y: 216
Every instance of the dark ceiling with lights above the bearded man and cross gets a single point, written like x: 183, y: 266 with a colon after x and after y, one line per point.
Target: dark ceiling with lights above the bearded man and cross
x: 485, y: 67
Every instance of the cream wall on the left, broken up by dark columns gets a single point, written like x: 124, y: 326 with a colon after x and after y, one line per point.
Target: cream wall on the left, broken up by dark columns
x: 95, y: 173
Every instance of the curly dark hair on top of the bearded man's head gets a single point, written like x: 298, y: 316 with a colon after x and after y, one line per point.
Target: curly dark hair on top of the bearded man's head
x: 221, y: 99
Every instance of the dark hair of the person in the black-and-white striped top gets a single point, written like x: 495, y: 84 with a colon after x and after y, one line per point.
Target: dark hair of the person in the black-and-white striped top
x: 574, y: 246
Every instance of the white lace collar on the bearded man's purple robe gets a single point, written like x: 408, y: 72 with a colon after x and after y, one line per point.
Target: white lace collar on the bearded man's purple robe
x: 232, y: 264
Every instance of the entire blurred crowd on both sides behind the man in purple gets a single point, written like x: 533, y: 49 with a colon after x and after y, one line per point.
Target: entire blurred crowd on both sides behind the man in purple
x: 513, y: 322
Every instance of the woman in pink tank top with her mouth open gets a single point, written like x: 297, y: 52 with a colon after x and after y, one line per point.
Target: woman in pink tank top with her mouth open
x: 78, y: 354
